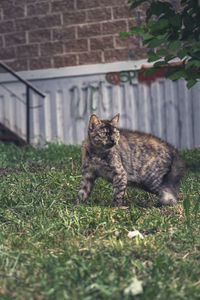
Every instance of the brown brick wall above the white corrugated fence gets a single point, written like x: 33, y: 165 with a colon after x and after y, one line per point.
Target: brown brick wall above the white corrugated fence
x: 40, y: 34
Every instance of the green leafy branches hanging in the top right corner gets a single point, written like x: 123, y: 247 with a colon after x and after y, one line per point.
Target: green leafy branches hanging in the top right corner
x: 172, y: 33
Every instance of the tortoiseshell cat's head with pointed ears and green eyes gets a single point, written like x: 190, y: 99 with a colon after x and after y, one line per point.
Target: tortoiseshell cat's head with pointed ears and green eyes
x: 103, y: 134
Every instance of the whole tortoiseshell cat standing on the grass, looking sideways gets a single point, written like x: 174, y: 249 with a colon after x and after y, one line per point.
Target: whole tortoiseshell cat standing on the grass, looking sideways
x: 129, y: 158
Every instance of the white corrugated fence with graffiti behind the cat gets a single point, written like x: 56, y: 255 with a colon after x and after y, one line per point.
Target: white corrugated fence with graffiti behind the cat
x: 164, y: 108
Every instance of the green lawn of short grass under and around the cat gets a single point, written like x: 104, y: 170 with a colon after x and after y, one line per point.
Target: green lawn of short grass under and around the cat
x: 51, y: 249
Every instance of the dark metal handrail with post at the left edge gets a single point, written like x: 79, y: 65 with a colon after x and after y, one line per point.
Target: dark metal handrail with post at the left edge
x: 29, y: 87
